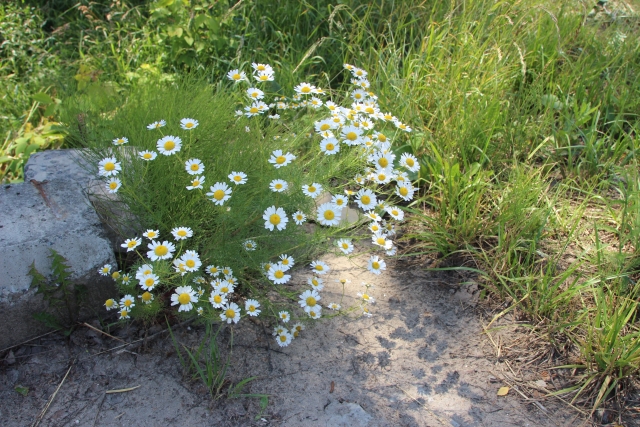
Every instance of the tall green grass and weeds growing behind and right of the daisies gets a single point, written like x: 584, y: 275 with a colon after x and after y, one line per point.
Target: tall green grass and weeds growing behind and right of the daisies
x: 524, y: 115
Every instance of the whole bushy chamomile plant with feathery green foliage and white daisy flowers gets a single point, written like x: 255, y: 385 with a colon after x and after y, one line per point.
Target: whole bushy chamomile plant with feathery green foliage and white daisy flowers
x: 226, y: 193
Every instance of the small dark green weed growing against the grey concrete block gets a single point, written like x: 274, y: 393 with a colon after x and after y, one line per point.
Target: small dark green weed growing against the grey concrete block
x: 64, y: 299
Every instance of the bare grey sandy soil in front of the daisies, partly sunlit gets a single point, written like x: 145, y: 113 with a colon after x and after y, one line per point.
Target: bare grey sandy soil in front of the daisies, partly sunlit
x: 420, y: 359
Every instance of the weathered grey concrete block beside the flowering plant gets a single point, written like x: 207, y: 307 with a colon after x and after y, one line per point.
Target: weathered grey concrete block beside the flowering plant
x: 50, y: 210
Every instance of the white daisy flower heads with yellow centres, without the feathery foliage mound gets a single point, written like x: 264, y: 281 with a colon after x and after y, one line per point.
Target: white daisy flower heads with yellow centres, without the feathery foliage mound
x: 171, y: 275
